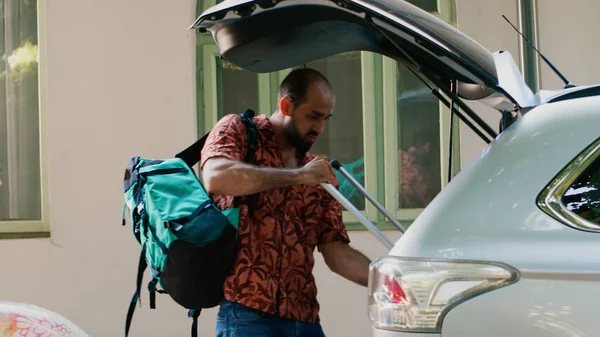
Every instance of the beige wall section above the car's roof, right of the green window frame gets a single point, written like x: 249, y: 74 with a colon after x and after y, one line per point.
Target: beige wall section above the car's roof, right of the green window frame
x: 566, y: 37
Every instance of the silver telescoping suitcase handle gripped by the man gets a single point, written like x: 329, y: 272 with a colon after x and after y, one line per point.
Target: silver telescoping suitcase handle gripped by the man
x: 352, y: 209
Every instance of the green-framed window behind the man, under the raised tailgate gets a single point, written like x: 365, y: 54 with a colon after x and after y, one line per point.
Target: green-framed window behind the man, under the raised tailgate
x: 388, y: 130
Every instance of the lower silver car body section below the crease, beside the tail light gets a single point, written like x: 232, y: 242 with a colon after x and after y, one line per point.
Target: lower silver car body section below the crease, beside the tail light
x: 548, y: 306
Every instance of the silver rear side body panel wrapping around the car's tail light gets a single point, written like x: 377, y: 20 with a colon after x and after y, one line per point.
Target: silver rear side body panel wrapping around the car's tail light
x: 489, y: 212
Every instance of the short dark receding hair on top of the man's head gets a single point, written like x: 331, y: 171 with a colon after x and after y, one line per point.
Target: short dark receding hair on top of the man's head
x: 296, y: 84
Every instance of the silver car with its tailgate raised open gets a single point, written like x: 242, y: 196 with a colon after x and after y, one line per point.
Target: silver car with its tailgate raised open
x: 509, y: 247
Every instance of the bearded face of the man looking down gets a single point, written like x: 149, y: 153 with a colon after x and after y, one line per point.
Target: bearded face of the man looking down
x: 305, y: 122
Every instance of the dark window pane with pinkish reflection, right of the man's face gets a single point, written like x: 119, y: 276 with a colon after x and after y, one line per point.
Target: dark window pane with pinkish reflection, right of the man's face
x: 419, y: 177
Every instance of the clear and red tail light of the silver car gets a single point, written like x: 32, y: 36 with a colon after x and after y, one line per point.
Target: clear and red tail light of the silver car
x: 415, y: 294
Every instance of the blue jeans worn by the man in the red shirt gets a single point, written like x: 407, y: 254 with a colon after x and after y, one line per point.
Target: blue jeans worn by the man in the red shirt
x: 236, y: 320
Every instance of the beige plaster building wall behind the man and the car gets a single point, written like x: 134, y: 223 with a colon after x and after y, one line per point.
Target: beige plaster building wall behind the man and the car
x: 116, y: 66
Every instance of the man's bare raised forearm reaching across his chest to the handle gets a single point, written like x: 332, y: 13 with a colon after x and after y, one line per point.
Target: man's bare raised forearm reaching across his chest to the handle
x: 234, y: 178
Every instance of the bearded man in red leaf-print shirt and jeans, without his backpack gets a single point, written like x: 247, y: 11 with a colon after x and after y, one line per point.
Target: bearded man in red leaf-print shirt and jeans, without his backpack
x: 271, y: 290
